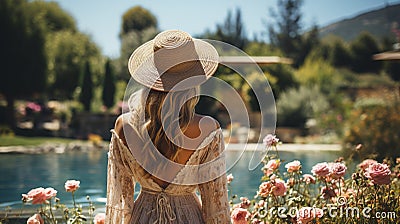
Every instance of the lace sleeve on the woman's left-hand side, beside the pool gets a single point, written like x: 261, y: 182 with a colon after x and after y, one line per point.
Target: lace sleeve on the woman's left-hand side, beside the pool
x: 120, y: 184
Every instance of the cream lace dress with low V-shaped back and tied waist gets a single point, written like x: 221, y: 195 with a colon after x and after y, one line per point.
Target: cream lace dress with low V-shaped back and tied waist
x: 176, y: 203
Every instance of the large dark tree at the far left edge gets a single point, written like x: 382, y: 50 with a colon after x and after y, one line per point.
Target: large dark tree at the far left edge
x: 22, y: 56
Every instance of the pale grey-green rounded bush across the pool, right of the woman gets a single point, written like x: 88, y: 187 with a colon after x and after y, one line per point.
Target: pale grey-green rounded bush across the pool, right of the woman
x: 295, y: 106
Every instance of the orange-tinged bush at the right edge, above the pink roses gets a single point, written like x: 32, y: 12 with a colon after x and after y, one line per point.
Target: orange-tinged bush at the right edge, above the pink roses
x: 375, y: 125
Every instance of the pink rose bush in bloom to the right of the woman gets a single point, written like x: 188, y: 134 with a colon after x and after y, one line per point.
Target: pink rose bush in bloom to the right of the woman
x: 328, y: 194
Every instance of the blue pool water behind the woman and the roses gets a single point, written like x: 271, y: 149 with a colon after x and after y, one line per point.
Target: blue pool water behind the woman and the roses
x: 22, y: 172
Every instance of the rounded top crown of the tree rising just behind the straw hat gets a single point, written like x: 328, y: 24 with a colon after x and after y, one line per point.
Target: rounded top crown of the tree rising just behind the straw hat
x: 137, y: 19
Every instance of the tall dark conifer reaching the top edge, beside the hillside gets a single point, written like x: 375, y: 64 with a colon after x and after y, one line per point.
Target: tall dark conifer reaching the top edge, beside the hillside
x: 286, y: 34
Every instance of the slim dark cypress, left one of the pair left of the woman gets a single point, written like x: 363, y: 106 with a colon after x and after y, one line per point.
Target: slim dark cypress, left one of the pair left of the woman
x: 87, y: 88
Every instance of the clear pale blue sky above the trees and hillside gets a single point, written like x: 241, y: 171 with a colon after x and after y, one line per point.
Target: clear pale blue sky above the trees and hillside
x: 101, y: 19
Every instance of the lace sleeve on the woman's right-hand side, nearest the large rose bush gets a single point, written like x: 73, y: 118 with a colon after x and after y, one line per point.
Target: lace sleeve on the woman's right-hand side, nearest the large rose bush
x: 214, y: 193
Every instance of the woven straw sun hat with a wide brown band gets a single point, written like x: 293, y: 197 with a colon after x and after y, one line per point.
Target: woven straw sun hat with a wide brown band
x: 173, y: 61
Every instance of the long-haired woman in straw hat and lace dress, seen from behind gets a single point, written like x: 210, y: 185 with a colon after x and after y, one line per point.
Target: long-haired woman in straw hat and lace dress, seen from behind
x: 162, y: 144
